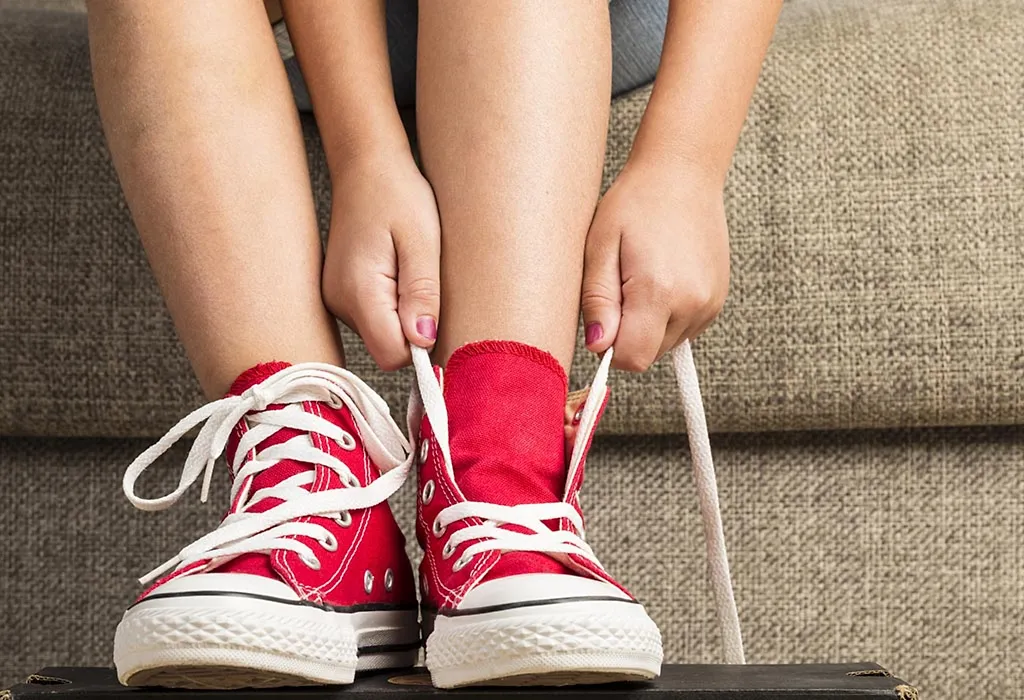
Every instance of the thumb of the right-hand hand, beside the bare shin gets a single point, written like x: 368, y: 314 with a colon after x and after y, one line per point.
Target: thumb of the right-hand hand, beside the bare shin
x: 603, y: 291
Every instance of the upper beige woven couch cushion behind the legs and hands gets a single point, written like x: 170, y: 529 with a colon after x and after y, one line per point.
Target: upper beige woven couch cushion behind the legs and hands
x: 875, y: 204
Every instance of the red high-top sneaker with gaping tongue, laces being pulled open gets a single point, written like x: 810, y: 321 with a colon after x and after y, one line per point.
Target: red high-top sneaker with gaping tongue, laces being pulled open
x: 511, y: 593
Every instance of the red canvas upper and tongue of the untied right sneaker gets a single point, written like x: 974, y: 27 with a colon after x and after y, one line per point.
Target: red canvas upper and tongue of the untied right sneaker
x: 511, y: 427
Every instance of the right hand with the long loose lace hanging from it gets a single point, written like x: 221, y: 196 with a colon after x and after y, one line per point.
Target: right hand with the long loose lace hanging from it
x: 657, y: 270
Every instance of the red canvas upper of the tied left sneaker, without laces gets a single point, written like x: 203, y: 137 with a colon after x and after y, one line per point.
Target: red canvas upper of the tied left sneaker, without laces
x: 372, y: 543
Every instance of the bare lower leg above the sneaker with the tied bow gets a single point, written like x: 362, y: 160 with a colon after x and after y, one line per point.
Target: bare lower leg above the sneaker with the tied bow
x: 206, y: 141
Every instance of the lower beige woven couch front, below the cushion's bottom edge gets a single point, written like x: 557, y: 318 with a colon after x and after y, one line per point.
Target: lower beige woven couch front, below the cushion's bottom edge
x: 855, y: 546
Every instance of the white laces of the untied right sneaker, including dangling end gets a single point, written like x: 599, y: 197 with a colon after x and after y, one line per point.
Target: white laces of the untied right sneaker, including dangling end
x: 532, y: 517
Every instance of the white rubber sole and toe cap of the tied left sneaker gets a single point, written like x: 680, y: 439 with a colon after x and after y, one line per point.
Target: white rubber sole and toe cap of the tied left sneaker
x: 227, y: 642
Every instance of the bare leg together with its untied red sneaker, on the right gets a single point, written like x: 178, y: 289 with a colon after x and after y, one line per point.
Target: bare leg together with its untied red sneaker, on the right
x: 513, y: 106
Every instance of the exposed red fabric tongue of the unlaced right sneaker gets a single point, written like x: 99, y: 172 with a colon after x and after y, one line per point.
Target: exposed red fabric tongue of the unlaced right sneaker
x: 506, y: 405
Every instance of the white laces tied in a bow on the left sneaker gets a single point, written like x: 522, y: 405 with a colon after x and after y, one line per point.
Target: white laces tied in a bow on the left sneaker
x: 245, y: 532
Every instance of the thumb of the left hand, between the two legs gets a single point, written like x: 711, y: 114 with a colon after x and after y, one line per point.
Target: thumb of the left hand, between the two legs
x: 419, y: 287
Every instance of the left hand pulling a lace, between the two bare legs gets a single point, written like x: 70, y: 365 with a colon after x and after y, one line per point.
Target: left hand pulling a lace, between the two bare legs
x: 381, y: 276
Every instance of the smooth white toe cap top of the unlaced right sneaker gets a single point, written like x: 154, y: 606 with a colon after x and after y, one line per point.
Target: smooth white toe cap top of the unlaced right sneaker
x: 531, y: 588
